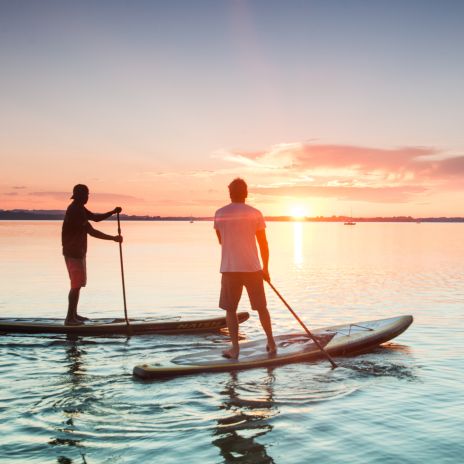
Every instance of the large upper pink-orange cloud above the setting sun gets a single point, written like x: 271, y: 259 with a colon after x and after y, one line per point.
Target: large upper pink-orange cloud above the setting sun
x: 318, y: 164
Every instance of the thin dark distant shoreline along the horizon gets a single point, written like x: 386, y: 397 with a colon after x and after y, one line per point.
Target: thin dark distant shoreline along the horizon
x: 45, y: 215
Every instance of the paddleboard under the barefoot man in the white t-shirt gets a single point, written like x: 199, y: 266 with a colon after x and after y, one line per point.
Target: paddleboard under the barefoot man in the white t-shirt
x: 340, y: 340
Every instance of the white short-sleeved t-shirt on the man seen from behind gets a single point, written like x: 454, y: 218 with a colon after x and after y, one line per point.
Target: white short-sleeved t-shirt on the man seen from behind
x: 238, y: 224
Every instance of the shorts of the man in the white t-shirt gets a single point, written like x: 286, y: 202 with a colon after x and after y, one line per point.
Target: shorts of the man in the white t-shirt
x: 232, y: 284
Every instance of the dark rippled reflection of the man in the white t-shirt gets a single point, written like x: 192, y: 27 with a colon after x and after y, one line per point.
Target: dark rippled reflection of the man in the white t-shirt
x: 247, y: 421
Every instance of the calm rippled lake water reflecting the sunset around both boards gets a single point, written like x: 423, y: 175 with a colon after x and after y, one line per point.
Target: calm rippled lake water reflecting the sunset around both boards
x: 76, y: 401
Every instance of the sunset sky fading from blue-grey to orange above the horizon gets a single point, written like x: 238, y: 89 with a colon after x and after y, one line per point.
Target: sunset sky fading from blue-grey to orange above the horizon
x: 324, y: 107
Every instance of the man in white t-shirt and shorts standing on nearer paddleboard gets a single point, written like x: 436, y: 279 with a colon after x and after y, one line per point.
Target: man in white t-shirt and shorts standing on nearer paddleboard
x: 238, y: 227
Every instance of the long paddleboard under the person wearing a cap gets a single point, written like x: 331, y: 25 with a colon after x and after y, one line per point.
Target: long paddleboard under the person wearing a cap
x: 108, y: 326
